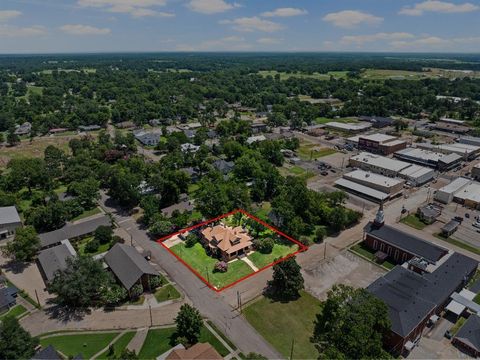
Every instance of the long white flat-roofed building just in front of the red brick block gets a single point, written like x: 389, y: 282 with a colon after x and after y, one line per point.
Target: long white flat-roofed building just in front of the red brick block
x: 413, y: 174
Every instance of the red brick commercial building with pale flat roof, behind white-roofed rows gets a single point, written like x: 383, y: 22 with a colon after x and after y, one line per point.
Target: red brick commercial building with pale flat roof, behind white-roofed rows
x: 378, y: 143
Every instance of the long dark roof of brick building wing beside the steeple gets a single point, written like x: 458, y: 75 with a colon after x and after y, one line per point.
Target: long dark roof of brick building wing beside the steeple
x: 407, y: 242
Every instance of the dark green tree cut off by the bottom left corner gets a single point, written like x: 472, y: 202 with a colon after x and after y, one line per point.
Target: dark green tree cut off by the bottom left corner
x: 15, y: 342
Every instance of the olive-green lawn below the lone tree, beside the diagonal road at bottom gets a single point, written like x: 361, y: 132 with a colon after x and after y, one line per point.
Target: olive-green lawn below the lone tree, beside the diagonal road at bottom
x: 280, y: 323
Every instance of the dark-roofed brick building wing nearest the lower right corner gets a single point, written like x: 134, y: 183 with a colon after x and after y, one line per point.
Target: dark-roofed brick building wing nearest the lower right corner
x: 414, y: 299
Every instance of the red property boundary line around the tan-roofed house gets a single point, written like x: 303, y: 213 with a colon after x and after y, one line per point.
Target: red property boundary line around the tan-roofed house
x: 301, y: 247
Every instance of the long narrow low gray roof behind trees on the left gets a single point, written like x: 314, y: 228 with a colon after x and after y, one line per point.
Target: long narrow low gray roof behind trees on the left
x: 71, y: 231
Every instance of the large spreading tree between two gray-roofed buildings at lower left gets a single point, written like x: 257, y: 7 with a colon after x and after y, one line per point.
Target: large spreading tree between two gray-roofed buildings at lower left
x: 81, y: 284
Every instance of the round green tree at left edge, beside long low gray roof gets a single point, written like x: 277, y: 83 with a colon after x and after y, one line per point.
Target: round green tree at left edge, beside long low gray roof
x: 24, y: 246
